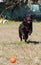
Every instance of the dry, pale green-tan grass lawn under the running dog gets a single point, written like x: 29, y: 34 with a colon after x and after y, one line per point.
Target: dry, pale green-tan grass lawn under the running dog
x: 10, y: 45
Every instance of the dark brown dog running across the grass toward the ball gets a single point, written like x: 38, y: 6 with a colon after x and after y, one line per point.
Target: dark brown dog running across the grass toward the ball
x: 25, y: 28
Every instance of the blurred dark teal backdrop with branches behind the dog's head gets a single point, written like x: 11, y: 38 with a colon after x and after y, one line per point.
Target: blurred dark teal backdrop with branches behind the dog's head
x: 16, y: 9
